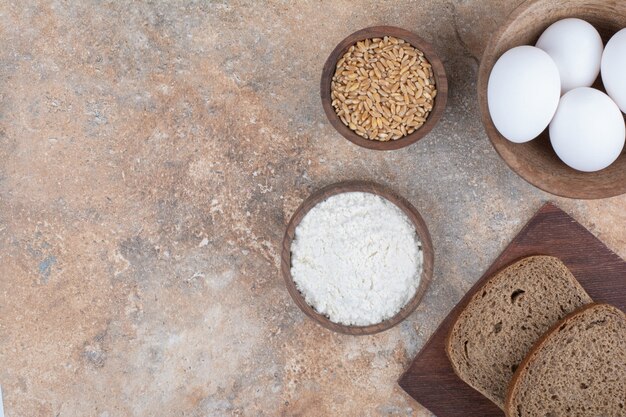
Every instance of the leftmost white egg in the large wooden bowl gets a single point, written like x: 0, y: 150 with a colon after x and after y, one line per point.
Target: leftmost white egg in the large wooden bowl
x: 523, y: 93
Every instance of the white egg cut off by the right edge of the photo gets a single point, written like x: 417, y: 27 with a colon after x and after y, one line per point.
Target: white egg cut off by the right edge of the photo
x: 614, y: 68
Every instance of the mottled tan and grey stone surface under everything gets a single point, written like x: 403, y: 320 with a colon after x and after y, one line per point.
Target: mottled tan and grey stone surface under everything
x: 151, y: 155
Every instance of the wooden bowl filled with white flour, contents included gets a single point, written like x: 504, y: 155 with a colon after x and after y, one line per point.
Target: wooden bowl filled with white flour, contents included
x: 357, y: 258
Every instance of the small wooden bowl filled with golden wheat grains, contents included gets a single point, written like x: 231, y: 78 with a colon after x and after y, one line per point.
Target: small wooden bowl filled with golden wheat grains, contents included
x: 392, y: 129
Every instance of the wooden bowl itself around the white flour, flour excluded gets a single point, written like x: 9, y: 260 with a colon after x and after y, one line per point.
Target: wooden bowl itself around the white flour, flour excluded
x: 420, y: 228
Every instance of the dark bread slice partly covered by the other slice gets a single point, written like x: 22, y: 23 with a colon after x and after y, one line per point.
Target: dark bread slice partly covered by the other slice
x: 505, y: 317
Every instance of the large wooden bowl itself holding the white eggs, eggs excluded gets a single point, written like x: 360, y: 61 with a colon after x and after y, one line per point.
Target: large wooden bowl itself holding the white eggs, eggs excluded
x: 536, y: 161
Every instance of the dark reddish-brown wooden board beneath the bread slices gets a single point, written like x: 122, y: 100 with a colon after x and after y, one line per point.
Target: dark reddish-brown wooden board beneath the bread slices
x: 430, y: 378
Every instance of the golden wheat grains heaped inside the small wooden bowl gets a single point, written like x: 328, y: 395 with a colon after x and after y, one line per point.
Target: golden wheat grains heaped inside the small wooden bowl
x: 383, y: 88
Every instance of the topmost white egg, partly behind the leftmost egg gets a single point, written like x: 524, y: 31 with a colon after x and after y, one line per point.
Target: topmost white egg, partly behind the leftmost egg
x: 576, y: 48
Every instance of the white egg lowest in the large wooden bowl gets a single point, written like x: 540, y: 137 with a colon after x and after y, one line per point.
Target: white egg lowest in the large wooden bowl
x: 588, y: 130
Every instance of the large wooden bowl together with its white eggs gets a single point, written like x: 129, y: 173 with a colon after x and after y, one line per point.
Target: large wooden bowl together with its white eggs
x: 552, y: 93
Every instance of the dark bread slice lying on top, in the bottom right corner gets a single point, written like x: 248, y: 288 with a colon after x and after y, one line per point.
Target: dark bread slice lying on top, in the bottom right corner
x: 576, y: 369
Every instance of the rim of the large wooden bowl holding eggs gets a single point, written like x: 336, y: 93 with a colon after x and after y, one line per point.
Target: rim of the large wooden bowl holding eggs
x: 496, y: 139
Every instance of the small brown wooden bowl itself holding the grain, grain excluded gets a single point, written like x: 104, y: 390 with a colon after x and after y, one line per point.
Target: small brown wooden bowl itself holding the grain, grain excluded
x: 439, y: 73
